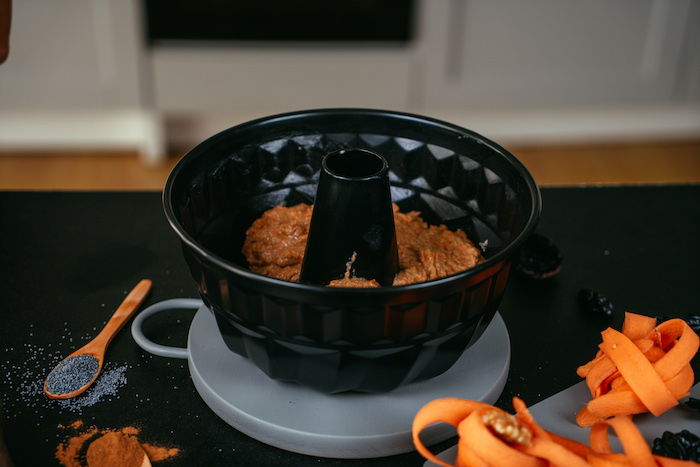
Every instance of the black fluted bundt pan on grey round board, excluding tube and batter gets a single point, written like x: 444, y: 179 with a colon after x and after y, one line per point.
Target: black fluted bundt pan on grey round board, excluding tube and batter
x: 343, y: 339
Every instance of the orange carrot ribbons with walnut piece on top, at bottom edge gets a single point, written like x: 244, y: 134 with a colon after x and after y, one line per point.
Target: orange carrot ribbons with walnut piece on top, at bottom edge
x: 489, y: 436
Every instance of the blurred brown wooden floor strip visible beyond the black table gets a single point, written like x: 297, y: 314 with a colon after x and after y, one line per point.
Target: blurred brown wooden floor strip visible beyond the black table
x: 563, y: 165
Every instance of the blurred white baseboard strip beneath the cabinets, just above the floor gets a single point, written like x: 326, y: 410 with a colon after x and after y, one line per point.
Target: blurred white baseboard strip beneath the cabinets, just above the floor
x: 145, y: 132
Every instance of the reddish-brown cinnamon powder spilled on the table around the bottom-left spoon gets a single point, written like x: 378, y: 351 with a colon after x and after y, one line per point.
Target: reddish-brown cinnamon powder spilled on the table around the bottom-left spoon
x: 73, y: 451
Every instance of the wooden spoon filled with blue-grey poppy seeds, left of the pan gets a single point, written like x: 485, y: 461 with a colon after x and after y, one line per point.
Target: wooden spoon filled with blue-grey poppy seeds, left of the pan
x: 80, y: 369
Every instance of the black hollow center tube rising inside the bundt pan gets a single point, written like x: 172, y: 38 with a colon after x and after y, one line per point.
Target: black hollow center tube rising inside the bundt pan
x: 352, y: 225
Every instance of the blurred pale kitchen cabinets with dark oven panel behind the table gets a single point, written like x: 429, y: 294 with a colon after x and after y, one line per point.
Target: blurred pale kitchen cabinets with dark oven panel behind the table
x: 154, y: 74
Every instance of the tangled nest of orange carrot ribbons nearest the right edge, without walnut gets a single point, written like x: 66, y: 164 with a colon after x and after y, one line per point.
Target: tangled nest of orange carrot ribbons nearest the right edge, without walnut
x: 644, y: 368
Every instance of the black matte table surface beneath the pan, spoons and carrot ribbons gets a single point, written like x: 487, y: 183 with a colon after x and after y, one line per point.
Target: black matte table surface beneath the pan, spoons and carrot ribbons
x: 68, y: 258
